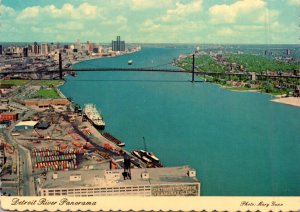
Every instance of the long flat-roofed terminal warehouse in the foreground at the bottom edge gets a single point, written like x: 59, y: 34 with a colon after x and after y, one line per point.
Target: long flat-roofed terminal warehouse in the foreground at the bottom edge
x: 167, y: 181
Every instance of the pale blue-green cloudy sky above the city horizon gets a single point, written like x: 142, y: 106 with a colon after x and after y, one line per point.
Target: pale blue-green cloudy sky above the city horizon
x: 151, y: 21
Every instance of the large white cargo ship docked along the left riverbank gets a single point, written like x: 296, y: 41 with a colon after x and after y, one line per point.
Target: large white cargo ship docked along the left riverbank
x: 94, y: 116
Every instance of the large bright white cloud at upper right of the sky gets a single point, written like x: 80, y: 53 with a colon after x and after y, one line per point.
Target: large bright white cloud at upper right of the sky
x: 242, y: 9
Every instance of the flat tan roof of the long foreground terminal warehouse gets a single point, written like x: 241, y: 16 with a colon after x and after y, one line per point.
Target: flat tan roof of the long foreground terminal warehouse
x: 99, y: 178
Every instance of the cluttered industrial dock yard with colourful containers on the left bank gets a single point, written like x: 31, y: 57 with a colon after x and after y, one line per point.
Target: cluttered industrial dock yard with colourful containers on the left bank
x: 43, y: 135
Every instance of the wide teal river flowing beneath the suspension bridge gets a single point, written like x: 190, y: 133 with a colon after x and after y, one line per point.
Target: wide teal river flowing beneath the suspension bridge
x: 239, y: 143
